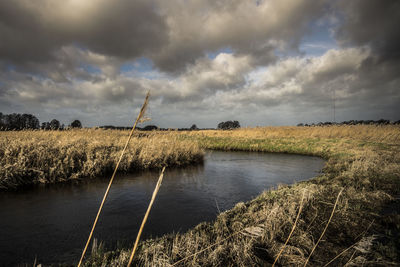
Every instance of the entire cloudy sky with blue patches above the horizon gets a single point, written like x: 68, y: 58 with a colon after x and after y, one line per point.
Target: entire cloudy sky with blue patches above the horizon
x: 277, y: 62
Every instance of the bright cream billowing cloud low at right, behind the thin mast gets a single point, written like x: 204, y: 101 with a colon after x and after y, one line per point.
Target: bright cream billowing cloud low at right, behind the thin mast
x: 307, y: 85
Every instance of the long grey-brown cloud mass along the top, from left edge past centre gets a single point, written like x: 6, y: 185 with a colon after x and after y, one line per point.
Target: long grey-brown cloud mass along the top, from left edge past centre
x: 172, y: 33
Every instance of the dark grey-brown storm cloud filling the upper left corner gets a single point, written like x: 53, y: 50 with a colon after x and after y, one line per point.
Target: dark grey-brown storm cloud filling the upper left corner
x: 35, y: 30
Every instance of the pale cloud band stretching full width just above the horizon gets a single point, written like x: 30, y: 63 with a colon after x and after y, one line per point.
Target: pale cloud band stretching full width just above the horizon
x: 298, y: 85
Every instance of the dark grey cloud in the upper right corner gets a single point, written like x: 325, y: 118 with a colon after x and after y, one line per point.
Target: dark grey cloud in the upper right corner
x: 374, y: 24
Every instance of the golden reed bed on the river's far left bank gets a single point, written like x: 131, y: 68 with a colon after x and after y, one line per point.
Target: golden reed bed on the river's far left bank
x: 43, y: 157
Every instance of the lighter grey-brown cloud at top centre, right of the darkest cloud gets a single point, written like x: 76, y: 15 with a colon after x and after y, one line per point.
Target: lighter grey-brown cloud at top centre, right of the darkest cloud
x: 256, y: 28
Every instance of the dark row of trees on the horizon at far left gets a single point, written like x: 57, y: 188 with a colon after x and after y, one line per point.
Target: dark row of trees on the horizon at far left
x: 16, y: 121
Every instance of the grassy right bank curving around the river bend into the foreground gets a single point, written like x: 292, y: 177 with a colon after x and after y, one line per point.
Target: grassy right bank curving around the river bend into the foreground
x: 362, y: 176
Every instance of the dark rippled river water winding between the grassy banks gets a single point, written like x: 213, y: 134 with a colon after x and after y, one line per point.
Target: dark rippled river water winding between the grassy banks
x: 52, y: 223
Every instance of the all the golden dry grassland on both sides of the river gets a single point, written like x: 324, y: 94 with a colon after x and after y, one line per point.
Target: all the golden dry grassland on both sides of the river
x: 362, y: 162
